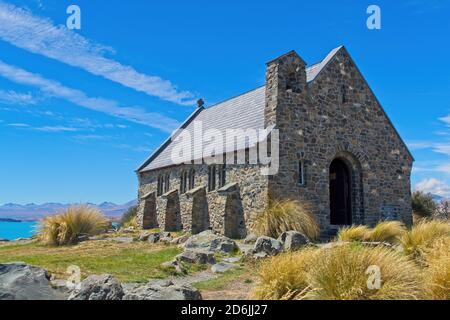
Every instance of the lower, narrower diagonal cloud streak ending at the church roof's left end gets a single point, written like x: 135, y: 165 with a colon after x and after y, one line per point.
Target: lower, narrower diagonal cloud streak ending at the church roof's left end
x: 53, y: 88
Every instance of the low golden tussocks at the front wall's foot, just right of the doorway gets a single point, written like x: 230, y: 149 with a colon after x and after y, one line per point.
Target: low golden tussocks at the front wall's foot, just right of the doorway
x: 386, y: 231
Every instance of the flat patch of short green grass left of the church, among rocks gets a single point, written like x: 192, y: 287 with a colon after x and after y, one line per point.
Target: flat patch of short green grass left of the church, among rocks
x: 129, y: 262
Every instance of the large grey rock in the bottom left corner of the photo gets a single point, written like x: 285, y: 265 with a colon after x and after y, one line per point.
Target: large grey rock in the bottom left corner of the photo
x: 19, y: 281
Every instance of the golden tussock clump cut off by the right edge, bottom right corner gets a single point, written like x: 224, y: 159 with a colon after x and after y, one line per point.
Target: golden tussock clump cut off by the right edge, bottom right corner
x: 437, y: 273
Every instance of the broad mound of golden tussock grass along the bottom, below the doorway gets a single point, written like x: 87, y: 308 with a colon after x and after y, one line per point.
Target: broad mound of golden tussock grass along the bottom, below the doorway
x: 338, y: 273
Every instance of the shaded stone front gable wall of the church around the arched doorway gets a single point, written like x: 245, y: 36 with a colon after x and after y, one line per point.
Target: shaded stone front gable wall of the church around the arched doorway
x: 336, y: 116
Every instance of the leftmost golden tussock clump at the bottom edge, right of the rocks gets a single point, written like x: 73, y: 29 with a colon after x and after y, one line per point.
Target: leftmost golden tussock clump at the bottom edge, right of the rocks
x: 285, y: 276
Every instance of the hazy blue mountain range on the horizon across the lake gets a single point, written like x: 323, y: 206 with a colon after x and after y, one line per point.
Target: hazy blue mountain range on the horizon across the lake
x: 34, y: 211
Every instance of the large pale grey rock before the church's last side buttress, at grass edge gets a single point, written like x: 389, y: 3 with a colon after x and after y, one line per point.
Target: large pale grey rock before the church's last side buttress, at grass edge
x: 209, y: 241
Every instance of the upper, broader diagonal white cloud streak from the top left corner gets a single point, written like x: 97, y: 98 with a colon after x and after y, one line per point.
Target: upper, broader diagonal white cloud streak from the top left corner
x: 22, y: 29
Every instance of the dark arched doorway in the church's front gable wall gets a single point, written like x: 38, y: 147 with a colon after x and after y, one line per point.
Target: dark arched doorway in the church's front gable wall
x: 340, y: 193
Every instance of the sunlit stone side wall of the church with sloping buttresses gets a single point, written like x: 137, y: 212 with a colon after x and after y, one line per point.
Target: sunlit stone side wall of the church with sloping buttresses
x: 252, y: 195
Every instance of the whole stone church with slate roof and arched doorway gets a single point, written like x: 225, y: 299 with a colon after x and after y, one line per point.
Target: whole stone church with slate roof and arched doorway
x: 338, y: 152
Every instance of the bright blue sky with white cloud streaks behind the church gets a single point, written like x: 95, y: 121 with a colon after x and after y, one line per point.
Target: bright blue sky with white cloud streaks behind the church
x: 80, y: 110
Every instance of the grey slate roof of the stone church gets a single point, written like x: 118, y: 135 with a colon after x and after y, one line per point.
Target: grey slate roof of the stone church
x: 245, y: 111
